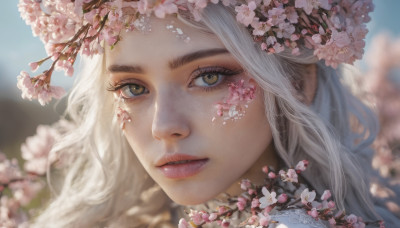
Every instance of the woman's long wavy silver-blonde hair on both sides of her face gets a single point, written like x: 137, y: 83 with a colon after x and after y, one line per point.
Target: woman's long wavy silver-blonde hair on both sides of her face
x: 105, y: 185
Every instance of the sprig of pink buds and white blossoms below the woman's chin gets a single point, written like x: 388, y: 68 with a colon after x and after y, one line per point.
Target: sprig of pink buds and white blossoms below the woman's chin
x: 277, y: 194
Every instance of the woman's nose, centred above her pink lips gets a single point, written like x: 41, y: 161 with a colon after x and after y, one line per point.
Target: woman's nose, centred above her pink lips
x: 169, y: 121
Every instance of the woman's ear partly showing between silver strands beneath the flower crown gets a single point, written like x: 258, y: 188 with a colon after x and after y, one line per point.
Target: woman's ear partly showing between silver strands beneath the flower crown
x: 310, y: 83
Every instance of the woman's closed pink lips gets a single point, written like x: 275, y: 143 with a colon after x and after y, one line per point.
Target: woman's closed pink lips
x: 171, y: 167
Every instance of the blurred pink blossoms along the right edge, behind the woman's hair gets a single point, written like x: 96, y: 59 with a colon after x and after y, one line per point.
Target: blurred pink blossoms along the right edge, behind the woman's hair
x: 382, y: 82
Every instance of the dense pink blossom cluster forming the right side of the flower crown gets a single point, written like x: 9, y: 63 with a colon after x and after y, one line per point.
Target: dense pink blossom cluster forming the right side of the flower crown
x: 334, y: 29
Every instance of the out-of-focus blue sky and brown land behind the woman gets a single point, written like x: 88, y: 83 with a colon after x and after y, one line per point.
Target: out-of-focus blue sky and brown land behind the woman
x: 19, y: 118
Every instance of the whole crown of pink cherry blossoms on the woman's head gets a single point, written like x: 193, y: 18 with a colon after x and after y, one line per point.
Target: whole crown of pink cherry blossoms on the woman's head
x: 334, y: 29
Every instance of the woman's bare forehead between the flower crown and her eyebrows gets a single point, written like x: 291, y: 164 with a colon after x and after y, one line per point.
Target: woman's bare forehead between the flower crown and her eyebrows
x: 160, y: 44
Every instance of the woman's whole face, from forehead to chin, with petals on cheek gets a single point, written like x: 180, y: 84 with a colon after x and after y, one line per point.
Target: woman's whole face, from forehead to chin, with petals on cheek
x: 173, y: 91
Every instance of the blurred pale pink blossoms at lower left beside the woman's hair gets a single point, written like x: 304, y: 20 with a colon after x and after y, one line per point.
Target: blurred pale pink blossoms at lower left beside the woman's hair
x: 18, y: 187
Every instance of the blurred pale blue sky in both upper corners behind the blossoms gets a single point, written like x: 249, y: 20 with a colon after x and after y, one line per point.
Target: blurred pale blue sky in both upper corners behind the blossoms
x: 18, y: 47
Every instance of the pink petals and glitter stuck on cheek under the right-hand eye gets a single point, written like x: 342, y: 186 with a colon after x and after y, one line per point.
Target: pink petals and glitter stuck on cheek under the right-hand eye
x: 234, y: 106
